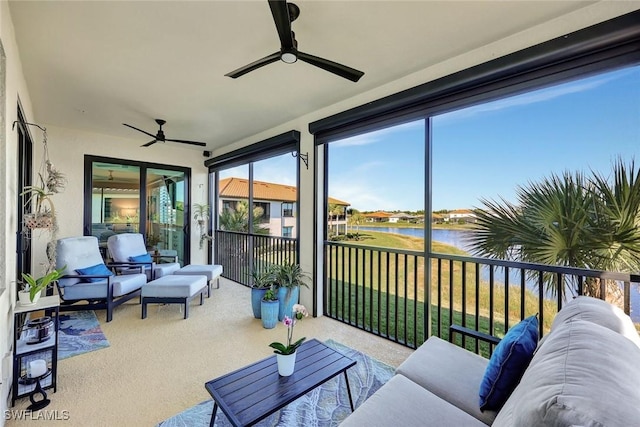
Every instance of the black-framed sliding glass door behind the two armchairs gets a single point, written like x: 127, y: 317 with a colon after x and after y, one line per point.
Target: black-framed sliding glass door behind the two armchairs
x: 136, y: 197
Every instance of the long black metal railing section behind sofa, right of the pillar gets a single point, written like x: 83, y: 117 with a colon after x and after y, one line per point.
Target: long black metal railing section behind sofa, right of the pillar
x: 383, y: 291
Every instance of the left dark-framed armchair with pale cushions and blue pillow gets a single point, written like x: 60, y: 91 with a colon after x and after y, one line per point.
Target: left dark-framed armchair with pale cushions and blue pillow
x: 87, y: 278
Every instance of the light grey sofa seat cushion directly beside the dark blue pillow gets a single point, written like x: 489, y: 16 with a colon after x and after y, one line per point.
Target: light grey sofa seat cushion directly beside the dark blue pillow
x: 449, y: 372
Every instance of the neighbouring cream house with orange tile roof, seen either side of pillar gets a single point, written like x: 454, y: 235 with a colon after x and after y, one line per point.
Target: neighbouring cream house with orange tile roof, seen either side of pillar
x: 278, y: 203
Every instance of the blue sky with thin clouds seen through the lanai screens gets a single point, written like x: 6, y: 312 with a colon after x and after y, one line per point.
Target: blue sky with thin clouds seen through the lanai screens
x: 484, y: 151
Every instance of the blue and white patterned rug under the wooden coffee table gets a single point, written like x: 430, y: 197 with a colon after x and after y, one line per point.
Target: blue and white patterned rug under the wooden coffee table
x: 328, y: 405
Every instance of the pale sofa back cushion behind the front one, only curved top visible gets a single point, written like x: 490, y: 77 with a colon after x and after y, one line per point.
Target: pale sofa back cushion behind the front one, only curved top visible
x: 597, y: 311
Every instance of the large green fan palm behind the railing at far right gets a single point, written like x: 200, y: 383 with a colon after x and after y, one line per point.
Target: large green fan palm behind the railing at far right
x: 570, y: 220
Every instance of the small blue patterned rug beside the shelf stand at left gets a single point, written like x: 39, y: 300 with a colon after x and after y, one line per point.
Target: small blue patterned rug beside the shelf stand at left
x: 79, y: 333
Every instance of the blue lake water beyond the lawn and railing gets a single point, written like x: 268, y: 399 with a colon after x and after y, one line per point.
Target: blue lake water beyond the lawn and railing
x: 456, y: 238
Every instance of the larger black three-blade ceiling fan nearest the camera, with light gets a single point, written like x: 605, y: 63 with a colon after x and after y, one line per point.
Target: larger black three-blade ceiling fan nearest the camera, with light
x: 283, y: 15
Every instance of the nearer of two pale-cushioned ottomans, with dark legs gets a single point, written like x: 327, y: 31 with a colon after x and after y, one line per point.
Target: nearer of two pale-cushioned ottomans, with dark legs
x: 173, y: 290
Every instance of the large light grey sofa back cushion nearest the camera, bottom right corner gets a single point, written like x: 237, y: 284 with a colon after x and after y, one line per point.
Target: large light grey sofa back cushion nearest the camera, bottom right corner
x: 583, y: 375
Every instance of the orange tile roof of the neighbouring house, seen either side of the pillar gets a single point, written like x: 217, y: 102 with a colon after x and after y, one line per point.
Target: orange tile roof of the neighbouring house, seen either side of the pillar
x: 238, y: 188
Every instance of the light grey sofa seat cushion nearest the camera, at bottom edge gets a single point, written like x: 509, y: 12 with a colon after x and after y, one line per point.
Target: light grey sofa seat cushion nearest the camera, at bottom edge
x: 401, y: 402
